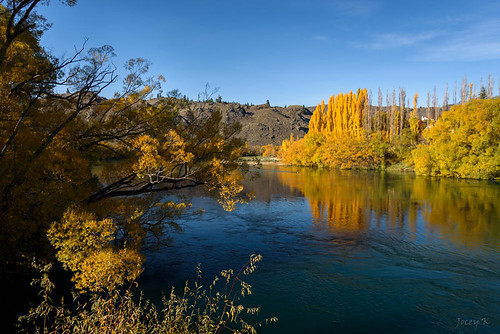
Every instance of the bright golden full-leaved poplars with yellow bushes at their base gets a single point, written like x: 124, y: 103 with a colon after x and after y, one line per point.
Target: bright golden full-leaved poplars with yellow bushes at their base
x: 336, y: 136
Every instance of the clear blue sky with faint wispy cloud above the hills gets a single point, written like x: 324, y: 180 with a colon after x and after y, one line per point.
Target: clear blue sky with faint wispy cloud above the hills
x: 295, y: 51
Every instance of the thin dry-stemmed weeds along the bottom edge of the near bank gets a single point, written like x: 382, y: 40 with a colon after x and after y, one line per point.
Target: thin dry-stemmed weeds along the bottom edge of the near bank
x: 194, y: 310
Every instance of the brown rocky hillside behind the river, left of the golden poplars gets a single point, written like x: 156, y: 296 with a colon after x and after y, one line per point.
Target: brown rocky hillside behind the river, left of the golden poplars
x: 261, y: 124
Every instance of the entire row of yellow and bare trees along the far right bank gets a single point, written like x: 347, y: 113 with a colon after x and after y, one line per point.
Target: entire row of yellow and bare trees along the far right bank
x: 349, y: 133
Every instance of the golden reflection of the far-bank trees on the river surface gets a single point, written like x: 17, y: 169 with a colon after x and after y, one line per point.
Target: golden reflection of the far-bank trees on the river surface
x: 464, y: 212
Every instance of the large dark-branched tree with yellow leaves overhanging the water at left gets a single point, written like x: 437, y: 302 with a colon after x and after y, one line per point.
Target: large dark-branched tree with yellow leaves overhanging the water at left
x: 50, y: 197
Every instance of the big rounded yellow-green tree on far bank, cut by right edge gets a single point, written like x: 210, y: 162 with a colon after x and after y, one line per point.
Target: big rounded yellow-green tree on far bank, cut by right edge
x: 464, y: 142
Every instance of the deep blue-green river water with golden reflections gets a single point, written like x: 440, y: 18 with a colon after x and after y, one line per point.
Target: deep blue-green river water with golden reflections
x: 350, y: 252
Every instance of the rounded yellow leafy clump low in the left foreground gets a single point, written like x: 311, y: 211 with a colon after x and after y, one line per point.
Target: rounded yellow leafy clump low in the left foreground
x: 85, y: 246
